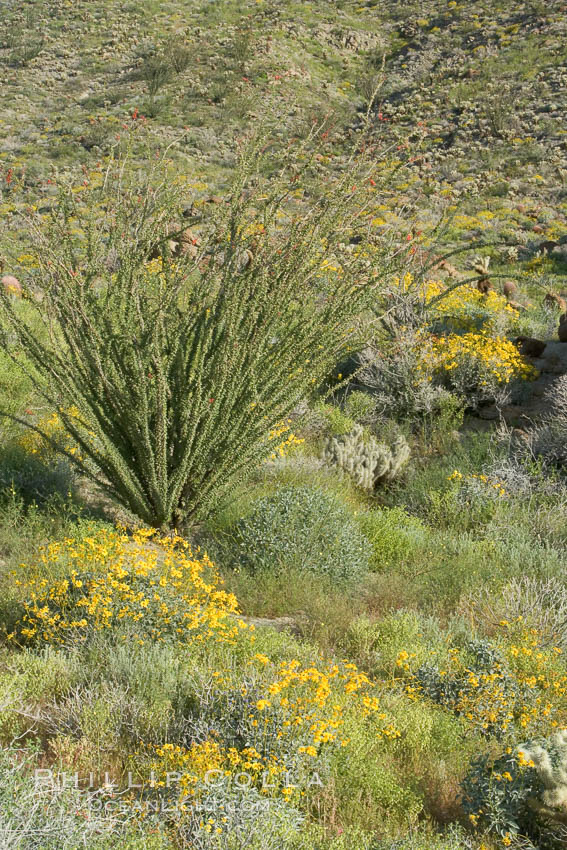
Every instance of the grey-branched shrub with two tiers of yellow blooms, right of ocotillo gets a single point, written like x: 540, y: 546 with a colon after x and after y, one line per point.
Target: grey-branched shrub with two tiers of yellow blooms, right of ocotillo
x: 445, y: 338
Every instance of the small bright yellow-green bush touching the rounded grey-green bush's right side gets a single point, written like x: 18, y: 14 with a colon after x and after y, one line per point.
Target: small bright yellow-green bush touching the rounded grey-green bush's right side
x: 394, y: 534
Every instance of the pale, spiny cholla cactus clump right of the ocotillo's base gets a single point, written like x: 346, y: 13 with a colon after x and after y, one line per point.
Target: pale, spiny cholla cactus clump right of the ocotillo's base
x: 368, y: 461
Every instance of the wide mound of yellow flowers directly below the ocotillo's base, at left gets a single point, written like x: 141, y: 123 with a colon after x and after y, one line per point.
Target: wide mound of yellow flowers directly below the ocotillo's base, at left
x: 156, y: 582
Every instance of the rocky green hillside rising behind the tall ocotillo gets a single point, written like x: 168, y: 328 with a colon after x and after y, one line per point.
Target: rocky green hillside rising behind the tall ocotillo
x: 470, y: 97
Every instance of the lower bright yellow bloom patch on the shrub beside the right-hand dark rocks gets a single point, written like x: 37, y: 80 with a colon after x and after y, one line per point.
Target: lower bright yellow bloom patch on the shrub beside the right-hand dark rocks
x: 494, y: 358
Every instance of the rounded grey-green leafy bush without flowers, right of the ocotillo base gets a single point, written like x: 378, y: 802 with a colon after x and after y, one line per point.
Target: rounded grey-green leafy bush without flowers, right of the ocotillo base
x: 302, y: 528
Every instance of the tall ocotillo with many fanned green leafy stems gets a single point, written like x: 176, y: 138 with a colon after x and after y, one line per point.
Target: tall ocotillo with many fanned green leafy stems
x: 179, y: 372
